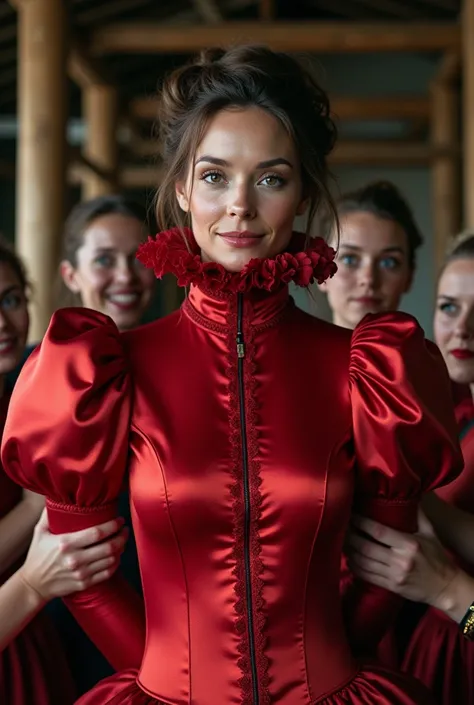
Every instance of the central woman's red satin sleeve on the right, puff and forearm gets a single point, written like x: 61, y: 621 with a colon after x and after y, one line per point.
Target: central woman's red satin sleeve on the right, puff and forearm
x: 405, y: 443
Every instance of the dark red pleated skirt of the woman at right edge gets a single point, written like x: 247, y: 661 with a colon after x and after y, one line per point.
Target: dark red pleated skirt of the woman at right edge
x: 440, y: 657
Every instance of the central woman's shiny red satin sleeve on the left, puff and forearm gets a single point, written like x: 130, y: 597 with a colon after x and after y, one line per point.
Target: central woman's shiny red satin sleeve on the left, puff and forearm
x: 66, y: 437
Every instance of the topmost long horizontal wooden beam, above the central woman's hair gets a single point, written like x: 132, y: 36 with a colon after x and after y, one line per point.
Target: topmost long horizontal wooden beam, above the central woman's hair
x: 318, y: 37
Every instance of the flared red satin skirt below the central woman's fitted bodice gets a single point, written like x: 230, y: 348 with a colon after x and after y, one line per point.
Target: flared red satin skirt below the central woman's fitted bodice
x: 373, y: 685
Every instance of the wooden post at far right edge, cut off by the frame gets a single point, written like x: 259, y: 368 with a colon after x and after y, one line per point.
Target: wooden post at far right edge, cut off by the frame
x: 468, y: 110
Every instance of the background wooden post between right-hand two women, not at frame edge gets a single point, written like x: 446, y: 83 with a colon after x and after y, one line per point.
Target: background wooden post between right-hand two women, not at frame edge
x: 446, y: 176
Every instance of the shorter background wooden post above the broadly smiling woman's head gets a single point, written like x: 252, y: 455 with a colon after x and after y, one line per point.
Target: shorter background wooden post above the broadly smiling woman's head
x: 100, y: 112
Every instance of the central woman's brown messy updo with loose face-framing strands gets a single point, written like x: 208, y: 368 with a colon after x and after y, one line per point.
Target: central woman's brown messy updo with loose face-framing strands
x: 243, y: 77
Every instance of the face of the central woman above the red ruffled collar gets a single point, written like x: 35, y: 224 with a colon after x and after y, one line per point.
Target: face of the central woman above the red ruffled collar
x: 245, y: 190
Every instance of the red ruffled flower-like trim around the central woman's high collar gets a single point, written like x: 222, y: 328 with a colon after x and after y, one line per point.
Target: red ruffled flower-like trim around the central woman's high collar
x: 167, y: 254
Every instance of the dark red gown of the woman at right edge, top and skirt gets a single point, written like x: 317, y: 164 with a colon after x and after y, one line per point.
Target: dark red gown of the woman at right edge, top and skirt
x: 437, y: 653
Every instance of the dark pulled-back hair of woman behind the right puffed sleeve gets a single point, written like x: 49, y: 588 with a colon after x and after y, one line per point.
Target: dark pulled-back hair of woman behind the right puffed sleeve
x: 384, y: 200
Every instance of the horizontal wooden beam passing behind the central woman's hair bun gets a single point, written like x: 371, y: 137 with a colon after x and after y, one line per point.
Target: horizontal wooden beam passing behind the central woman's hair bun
x: 344, y: 108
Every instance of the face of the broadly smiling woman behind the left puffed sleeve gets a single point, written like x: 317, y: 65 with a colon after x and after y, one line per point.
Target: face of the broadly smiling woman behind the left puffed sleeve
x: 107, y: 275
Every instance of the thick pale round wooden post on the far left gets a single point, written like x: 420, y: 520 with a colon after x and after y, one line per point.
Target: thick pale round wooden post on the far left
x: 41, y: 148
